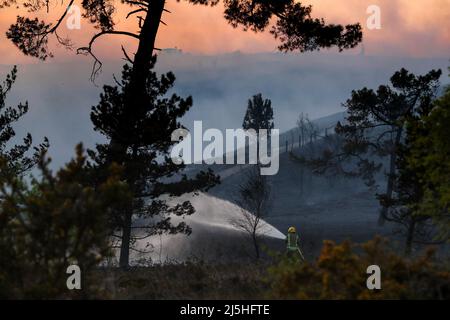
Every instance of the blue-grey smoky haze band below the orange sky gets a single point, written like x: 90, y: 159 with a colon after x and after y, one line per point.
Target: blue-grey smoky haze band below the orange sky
x: 60, y: 94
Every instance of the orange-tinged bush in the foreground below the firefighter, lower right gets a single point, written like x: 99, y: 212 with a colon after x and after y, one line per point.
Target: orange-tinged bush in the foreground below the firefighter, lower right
x: 340, y: 273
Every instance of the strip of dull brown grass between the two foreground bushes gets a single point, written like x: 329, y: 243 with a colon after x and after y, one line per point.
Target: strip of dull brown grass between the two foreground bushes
x: 192, y: 280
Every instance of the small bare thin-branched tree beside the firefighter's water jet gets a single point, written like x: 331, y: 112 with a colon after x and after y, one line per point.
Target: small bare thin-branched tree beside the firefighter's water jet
x: 254, y: 198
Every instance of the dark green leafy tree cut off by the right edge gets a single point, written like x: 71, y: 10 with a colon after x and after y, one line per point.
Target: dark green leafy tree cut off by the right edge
x: 415, y: 206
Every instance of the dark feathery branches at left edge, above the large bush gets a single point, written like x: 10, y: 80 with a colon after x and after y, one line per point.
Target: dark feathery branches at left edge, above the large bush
x: 15, y: 156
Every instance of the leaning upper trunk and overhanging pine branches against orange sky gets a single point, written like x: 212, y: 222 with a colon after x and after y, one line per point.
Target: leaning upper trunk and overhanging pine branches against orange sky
x: 292, y: 24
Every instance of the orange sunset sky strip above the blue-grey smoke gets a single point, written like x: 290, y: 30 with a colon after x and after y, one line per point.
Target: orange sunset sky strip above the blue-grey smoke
x: 419, y: 28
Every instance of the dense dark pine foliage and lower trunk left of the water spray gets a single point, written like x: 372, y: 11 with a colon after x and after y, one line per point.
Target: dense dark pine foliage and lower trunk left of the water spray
x: 146, y: 130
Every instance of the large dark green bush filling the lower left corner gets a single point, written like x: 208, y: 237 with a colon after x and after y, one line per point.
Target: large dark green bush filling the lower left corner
x: 51, y: 222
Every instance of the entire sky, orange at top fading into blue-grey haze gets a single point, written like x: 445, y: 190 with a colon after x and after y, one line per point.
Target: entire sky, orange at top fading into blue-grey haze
x: 415, y: 34
